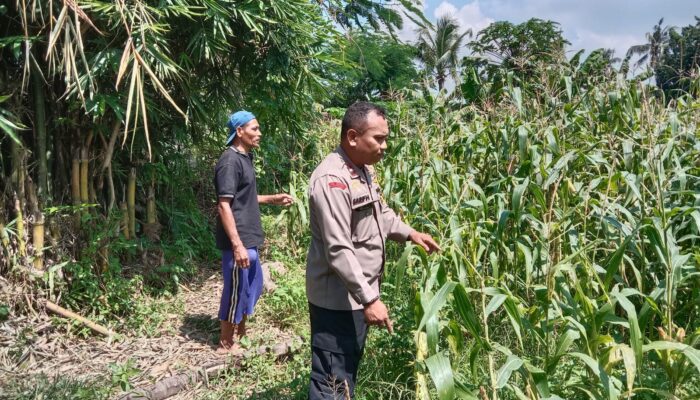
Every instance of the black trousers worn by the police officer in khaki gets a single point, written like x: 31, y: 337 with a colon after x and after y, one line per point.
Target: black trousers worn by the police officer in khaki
x: 337, y: 343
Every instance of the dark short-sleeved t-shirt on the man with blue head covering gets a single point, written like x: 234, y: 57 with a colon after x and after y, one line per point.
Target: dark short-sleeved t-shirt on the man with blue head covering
x: 234, y: 178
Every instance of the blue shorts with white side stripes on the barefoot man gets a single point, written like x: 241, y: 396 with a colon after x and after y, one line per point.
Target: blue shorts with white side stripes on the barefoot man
x: 242, y: 286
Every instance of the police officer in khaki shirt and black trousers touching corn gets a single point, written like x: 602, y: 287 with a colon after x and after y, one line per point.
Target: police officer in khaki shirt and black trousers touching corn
x: 349, y: 226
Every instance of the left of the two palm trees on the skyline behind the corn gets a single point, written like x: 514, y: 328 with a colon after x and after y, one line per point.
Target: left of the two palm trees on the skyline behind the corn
x: 439, y: 48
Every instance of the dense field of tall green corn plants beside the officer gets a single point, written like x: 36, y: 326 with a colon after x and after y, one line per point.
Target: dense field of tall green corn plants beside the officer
x: 569, y: 220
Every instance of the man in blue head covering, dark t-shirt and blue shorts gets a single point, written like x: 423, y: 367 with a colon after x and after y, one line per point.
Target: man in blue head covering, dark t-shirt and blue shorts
x: 239, y: 230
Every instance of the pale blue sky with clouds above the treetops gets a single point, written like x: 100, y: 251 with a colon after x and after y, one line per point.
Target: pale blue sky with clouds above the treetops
x: 587, y: 24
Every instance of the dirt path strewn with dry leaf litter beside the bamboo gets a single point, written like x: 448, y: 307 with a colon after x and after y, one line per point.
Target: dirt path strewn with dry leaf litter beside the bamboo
x: 186, y: 341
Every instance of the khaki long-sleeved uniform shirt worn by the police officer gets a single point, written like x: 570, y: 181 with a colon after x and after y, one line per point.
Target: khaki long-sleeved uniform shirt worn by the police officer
x: 350, y: 223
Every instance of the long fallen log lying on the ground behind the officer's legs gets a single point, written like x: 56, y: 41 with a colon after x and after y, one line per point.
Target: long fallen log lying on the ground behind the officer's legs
x: 171, y: 386
